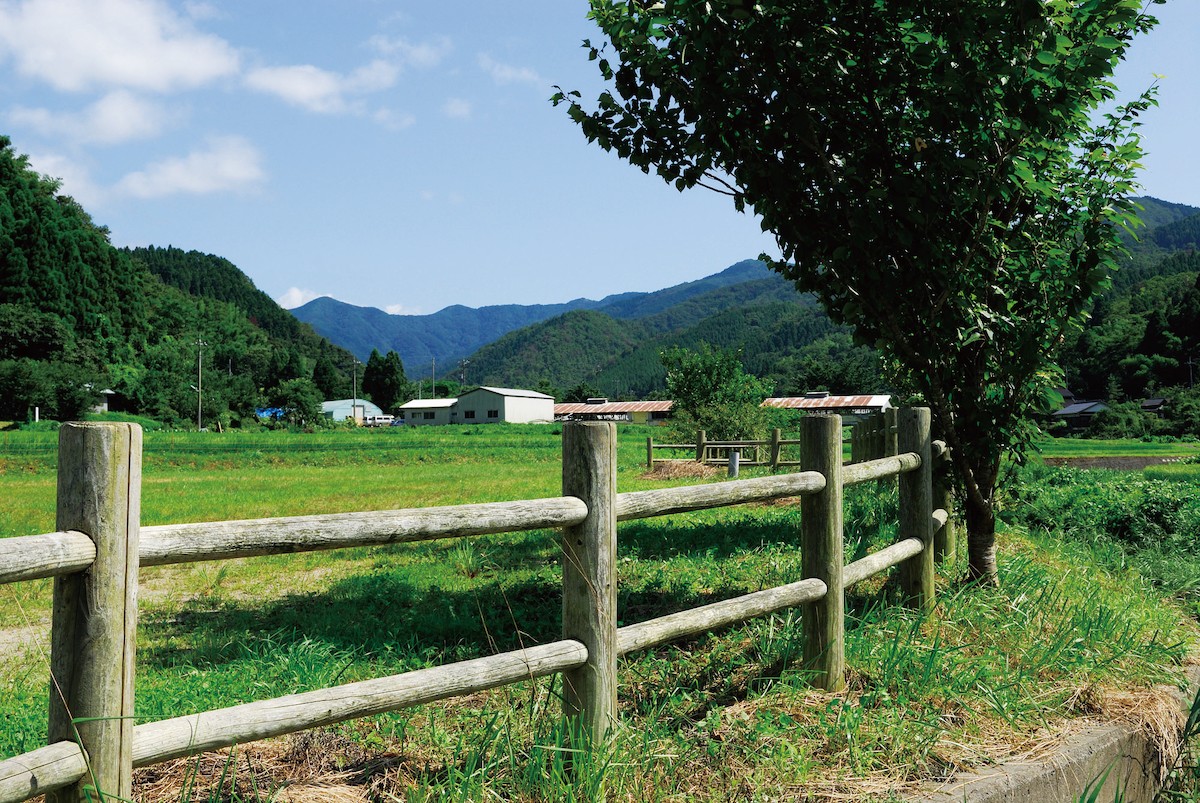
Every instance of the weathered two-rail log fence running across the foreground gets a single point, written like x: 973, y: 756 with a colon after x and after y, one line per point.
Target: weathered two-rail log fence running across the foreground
x: 94, y: 745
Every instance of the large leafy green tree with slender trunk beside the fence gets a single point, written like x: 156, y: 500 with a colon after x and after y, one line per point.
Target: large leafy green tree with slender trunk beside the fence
x: 933, y: 172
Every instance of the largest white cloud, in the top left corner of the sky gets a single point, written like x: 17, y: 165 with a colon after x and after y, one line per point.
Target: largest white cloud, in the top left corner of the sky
x: 80, y: 45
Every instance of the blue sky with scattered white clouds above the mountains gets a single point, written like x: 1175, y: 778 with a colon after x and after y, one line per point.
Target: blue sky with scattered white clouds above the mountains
x: 399, y: 155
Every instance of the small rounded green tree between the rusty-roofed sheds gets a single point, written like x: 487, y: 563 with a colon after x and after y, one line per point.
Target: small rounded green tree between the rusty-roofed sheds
x: 712, y: 392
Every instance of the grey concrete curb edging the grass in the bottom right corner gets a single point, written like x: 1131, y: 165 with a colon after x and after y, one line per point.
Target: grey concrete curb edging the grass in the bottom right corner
x: 1063, y: 778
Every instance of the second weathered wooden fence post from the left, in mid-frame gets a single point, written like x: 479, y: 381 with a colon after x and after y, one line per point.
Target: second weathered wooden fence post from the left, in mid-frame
x: 590, y: 577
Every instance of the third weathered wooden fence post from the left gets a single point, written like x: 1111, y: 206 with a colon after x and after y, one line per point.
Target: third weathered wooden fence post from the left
x: 821, y: 553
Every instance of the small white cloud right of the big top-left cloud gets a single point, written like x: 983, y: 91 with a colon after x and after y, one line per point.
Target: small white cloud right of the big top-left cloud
x: 321, y: 91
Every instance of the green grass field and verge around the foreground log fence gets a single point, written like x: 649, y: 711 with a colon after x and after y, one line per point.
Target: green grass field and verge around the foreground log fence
x: 729, y: 716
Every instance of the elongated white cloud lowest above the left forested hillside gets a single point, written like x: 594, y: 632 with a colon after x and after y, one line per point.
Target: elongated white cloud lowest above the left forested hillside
x: 230, y: 164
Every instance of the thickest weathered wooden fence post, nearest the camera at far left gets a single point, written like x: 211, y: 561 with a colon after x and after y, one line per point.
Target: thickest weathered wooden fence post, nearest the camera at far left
x: 97, y: 610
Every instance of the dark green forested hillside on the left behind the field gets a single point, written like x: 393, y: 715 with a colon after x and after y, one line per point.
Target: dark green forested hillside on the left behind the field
x: 79, y: 316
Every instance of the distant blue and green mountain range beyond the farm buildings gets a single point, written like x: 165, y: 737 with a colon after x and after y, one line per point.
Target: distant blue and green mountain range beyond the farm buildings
x: 613, y: 344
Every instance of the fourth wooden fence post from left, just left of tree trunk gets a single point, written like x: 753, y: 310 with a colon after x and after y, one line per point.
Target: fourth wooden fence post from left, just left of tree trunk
x: 917, y: 507
